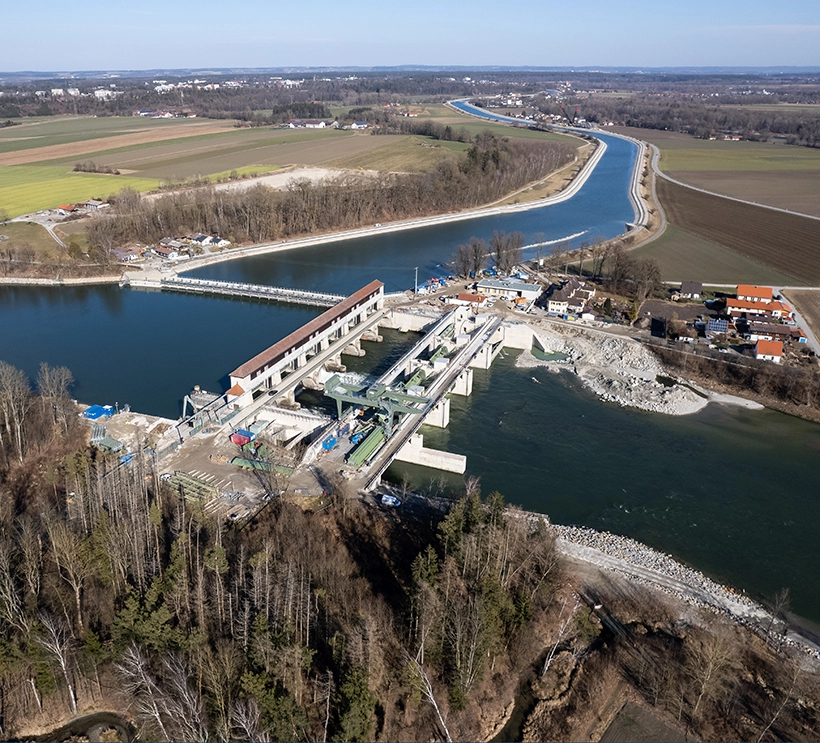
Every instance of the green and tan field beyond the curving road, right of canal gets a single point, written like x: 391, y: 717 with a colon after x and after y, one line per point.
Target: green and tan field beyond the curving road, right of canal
x: 763, y: 172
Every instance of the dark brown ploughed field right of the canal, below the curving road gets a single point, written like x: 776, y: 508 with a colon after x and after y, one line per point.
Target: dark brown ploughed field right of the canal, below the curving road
x: 787, y: 243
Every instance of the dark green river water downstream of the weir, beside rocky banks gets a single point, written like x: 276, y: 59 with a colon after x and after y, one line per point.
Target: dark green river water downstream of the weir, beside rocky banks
x: 731, y: 492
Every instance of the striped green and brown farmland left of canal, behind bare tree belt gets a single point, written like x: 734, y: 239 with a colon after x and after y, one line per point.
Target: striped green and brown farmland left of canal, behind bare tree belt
x: 39, y: 155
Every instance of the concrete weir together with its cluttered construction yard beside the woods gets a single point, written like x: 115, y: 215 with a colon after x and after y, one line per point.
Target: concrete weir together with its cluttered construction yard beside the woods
x: 233, y: 452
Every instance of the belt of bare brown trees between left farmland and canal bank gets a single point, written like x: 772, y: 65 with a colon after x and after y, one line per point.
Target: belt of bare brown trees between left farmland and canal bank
x: 491, y: 168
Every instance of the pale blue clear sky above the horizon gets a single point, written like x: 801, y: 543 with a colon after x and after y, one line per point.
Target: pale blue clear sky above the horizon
x: 47, y: 35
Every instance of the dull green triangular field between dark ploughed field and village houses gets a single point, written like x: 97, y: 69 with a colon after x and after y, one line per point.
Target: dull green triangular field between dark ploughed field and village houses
x: 683, y: 256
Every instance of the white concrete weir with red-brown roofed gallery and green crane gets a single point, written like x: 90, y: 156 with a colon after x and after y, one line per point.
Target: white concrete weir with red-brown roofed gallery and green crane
x: 376, y: 421
